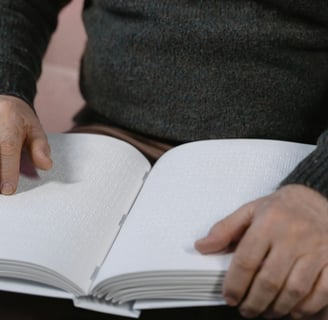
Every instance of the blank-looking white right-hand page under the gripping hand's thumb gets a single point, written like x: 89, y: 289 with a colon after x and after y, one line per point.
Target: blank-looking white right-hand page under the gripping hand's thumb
x: 189, y: 189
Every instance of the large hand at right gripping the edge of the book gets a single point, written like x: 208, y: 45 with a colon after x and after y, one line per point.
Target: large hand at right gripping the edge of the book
x: 280, y: 265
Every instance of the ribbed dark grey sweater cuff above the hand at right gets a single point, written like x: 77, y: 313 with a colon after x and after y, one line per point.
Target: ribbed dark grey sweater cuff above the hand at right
x: 313, y: 170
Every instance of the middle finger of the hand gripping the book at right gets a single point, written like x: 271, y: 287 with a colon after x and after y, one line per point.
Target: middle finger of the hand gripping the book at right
x: 266, y: 285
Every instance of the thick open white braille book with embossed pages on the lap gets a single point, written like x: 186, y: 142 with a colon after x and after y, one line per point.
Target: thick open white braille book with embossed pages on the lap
x: 111, y: 233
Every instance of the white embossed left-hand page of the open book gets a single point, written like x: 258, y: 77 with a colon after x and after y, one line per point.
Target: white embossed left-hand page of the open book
x: 67, y: 220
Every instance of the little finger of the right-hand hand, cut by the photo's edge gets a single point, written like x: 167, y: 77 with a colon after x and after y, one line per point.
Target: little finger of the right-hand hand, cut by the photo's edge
x: 316, y: 300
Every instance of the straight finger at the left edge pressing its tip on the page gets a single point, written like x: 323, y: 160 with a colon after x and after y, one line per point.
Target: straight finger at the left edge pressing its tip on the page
x: 10, y: 152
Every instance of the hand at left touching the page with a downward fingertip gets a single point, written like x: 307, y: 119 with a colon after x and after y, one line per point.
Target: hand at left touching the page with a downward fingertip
x: 19, y: 129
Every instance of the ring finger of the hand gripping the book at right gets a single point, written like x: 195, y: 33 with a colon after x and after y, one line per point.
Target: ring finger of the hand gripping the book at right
x: 297, y: 286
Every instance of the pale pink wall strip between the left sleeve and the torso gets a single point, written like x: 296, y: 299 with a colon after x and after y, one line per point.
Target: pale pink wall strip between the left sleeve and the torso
x: 58, y: 96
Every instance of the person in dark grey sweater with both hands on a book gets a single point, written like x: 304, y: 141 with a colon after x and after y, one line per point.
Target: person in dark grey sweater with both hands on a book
x: 176, y: 71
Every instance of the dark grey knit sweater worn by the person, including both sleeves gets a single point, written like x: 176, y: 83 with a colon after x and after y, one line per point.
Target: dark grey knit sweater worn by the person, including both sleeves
x: 184, y: 70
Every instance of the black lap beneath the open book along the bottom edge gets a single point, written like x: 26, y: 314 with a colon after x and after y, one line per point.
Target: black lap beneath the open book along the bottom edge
x: 25, y: 307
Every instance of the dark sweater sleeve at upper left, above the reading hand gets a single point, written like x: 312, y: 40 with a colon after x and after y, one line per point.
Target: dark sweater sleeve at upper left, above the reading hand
x: 25, y: 30
